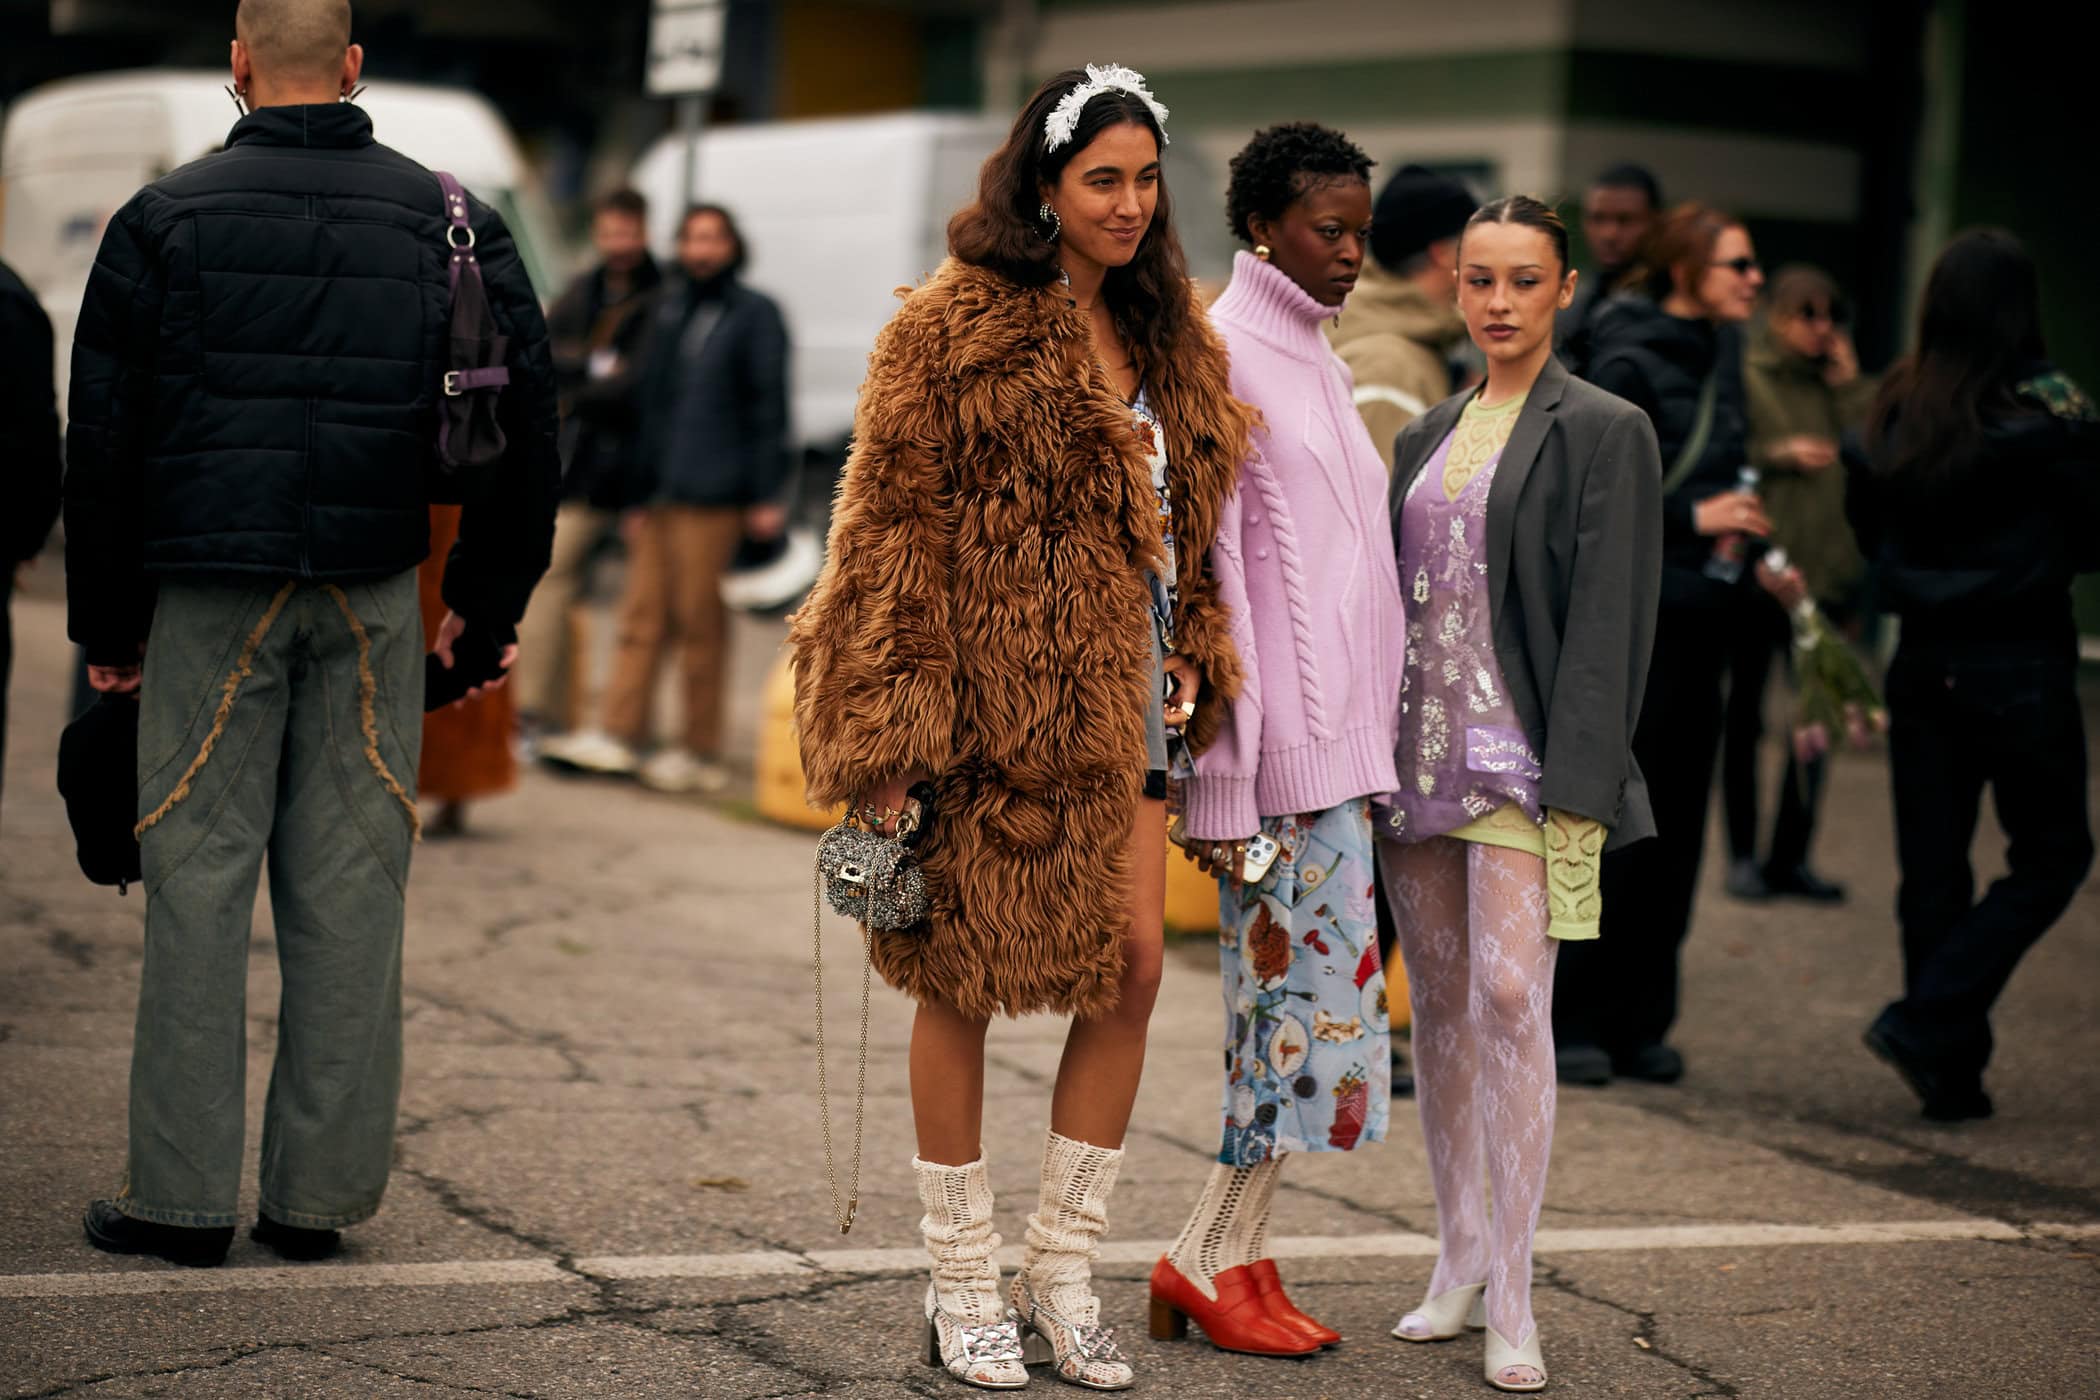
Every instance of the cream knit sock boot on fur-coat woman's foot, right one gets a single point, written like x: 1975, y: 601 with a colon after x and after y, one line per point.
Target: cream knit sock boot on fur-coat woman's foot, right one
x: 1053, y: 1294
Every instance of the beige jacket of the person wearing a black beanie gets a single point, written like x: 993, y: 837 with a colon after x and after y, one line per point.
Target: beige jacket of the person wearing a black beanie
x: 1398, y: 343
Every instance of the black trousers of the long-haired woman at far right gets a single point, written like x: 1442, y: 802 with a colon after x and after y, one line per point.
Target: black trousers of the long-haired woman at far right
x: 1958, y: 725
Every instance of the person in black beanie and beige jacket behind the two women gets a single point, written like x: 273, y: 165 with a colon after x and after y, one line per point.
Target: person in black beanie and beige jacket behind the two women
x: 1402, y: 324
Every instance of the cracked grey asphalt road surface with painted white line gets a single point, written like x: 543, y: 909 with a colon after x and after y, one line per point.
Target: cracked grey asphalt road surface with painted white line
x: 610, y: 1176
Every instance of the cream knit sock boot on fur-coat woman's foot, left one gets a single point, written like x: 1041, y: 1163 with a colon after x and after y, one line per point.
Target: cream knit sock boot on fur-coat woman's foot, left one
x: 967, y: 1332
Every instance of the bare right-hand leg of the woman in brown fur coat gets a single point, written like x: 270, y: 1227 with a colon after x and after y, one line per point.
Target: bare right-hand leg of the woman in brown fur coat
x: 1104, y: 1057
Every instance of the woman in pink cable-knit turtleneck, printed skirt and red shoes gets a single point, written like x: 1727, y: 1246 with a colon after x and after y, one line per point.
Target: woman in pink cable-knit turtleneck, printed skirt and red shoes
x: 1305, y: 564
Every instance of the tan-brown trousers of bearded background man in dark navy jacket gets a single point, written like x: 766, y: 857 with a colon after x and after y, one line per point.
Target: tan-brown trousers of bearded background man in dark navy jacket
x: 675, y: 595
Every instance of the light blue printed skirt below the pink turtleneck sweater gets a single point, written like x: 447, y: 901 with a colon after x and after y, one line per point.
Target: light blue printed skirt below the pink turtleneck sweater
x: 1305, y: 996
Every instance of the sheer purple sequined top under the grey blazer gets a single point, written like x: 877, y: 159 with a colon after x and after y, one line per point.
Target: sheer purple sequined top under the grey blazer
x: 1463, y: 752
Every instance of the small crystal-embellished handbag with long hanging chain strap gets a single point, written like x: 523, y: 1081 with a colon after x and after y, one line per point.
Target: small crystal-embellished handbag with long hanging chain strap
x: 877, y: 883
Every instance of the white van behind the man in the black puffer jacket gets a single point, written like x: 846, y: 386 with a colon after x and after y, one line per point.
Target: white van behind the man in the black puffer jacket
x: 77, y: 150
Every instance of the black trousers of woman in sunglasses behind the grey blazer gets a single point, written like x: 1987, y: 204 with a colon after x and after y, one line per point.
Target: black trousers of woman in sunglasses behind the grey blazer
x: 1620, y: 992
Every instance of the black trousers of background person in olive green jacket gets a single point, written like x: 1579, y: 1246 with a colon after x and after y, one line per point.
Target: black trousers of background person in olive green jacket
x: 1759, y: 637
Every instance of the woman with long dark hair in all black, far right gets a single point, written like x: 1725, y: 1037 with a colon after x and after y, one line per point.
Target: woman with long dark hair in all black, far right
x: 1979, y: 503
